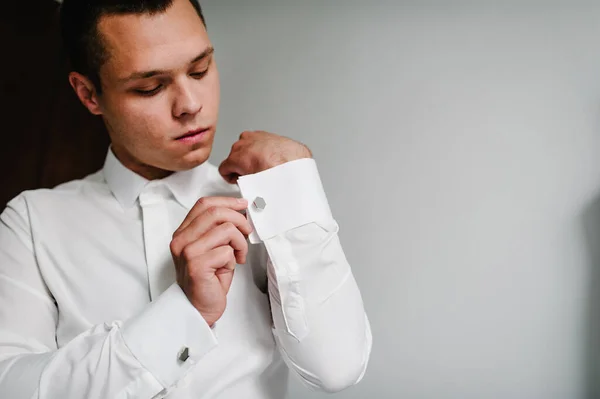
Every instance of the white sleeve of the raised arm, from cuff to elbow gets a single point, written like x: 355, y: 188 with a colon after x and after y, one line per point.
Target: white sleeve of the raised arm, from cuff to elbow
x: 320, y: 324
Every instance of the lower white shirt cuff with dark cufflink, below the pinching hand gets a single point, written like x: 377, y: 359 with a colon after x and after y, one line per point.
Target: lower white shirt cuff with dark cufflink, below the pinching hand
x: 160, y: 334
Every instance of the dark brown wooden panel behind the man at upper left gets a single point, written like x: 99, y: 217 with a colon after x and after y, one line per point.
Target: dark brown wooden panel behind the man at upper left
x: 47, y: 136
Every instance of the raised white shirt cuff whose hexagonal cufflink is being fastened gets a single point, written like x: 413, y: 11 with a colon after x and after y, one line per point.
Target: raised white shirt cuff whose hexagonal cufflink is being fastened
x: 289, y: 195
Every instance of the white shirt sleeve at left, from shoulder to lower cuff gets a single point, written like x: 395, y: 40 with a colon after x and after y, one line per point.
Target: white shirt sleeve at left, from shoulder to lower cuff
x: 142, y: 357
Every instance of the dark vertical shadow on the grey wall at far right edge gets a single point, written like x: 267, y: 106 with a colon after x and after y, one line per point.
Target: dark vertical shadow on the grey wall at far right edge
x: 591, y: 357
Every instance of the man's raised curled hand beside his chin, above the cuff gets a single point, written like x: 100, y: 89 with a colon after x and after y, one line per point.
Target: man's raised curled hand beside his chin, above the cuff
x: 258, y: 151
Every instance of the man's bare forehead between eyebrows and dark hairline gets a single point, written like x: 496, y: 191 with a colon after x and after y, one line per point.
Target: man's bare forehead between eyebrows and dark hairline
x: 142, y: 42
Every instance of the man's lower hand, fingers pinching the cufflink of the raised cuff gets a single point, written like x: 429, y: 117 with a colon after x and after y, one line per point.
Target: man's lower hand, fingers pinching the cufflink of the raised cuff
x: 206, y: 248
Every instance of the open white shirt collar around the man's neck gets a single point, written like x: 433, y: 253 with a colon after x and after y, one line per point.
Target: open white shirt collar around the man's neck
x: 126, y: 185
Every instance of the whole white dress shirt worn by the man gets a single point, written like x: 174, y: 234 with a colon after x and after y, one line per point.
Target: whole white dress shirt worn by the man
x: 89, y: 307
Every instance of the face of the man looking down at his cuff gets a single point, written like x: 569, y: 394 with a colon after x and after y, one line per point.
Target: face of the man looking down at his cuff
x: 160, y: 98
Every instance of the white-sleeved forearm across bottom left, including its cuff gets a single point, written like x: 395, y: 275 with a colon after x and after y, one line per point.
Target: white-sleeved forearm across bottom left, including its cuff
x: 136, y: 358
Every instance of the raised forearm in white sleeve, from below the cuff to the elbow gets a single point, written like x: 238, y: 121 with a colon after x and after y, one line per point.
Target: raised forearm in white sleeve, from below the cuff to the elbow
x: 320, y: 323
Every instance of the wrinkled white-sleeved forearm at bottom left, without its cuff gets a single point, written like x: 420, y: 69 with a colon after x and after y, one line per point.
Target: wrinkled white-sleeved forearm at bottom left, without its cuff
x: 96, y: 364
